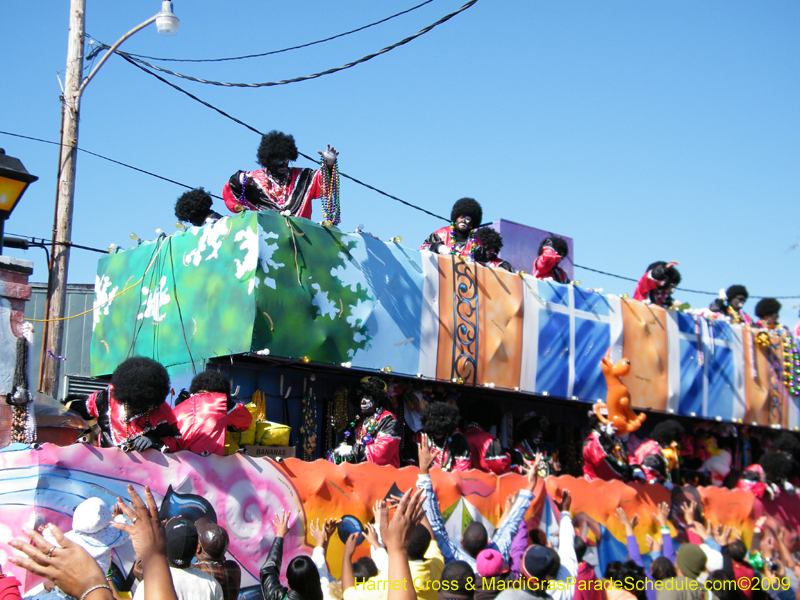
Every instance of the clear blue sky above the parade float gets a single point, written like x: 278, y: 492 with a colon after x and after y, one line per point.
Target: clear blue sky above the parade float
x: 644, y: 130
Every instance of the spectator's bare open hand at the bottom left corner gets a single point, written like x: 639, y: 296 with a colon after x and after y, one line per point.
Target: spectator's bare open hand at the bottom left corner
x: 69, y: 567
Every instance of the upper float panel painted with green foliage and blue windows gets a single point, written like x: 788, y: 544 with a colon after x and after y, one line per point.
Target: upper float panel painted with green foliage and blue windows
x: 289, y: 288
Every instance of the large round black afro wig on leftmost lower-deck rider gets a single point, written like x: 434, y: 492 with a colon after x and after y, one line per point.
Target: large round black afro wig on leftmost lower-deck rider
x: 140, y: 383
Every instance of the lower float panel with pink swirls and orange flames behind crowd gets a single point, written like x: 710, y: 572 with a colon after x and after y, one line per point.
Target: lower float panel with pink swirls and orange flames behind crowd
x: 243, y: 494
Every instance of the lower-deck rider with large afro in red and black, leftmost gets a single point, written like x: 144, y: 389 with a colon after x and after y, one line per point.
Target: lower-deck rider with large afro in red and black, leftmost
x: 132, y: 413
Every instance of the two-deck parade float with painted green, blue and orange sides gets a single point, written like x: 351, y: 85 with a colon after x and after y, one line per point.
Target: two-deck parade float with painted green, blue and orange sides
x: 296, y: 313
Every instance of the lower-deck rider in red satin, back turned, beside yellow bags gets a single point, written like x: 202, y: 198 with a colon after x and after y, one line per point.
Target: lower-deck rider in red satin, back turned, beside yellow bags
x: 205, y: 413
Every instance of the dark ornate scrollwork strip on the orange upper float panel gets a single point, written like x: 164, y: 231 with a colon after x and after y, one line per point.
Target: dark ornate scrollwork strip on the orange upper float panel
x: 465, y: 322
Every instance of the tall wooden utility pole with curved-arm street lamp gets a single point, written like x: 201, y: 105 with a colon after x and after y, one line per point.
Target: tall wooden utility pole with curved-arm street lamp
x: 74, y: 85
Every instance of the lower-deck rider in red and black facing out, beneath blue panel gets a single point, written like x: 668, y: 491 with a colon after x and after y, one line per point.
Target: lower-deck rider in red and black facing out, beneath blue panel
x: 377, y: 431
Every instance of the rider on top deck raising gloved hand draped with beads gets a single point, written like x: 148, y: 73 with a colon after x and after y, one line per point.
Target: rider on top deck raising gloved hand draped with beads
x: 284, y: 189
